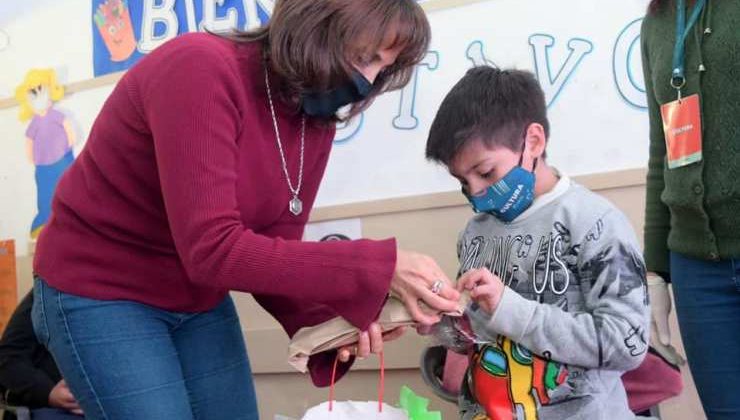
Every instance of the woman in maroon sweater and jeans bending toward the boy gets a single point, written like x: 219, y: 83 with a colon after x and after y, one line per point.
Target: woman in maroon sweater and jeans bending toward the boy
x: 197, y: 179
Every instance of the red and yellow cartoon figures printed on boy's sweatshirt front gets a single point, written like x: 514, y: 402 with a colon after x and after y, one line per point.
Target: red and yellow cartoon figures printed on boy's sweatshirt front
x: 511, y: 383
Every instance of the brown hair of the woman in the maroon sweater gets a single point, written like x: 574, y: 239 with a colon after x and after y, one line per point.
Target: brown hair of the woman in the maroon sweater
x: 312, y: 44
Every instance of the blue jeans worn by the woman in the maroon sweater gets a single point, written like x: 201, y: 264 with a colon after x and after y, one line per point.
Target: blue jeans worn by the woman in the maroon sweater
x: 126, y: 360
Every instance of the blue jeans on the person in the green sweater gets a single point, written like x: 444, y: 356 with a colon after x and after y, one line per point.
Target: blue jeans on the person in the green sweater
x: 708, y: 307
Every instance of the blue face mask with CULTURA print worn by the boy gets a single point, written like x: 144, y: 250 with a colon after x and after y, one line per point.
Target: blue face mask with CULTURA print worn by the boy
x: 510, y: 196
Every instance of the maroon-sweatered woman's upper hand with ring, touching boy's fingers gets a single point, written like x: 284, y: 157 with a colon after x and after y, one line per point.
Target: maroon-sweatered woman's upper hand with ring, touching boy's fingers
x: 417, y: 279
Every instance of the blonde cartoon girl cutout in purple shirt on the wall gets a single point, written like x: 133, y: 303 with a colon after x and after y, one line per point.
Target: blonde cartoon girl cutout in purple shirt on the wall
x: 49, y: 137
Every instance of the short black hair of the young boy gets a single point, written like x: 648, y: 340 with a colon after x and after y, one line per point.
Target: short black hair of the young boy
x: 490, y: 104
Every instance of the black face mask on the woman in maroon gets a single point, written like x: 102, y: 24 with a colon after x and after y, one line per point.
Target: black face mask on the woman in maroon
x: 326, y: 104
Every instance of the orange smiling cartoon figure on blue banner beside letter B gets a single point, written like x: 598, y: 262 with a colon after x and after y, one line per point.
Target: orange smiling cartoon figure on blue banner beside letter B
x: 114, y: 24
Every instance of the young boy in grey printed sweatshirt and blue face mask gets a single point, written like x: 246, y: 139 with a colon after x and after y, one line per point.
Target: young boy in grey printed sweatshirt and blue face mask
x: 554, y: 271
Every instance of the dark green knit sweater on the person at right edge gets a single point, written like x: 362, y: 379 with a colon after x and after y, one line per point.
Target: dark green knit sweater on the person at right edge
x: 695, y: 210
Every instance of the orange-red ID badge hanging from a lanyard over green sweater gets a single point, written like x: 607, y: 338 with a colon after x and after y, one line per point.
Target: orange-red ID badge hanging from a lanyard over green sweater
x: 682, y: 129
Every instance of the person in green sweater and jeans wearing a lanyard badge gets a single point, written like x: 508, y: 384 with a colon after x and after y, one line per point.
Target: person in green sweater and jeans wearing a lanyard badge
x: 691, y: 63
